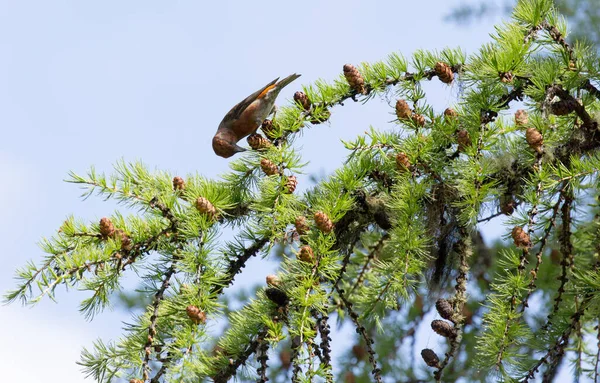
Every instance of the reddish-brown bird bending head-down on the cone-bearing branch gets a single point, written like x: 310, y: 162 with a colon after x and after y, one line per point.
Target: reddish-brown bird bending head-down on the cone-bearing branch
x: 245, y: 118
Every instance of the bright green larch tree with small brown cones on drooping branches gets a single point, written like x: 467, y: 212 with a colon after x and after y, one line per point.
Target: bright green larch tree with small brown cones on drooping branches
x: 391, y: 240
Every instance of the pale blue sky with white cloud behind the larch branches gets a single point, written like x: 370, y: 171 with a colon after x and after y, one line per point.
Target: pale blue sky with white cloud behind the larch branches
x: 87, y: 83
